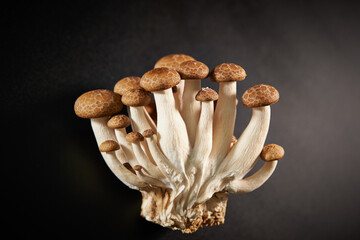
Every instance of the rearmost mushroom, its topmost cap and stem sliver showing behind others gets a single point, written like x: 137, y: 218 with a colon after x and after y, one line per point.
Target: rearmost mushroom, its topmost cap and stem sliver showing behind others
x: 173, y: 61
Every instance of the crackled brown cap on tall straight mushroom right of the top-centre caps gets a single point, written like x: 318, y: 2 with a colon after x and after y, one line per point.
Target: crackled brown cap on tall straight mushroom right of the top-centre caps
x: 227, y: 72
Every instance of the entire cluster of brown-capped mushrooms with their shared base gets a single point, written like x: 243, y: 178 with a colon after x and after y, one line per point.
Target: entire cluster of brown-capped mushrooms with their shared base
x: 181, y: 153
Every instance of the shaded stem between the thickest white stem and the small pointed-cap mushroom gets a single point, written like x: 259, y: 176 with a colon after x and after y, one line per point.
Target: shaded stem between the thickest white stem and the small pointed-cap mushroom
x: 191, y: 108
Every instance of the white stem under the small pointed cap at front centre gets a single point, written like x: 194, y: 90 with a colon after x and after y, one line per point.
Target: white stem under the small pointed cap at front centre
x: 197, y: 164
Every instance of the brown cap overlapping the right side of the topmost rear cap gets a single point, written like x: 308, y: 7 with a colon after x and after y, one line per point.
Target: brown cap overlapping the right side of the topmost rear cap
x: 193, y: 70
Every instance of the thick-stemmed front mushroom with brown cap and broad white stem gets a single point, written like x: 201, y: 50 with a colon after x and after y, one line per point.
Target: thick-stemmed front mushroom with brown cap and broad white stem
x: 171, y: 129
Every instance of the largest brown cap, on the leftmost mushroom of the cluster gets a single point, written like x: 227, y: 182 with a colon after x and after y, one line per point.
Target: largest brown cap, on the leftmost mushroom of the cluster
x: 98, y: 103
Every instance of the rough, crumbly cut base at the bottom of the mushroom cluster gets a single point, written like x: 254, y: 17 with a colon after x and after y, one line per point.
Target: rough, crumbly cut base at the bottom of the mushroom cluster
x: 159, y: 206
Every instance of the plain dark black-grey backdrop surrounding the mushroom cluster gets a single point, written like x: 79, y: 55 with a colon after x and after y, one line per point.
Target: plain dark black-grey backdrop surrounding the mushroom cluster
x: 56, y: 181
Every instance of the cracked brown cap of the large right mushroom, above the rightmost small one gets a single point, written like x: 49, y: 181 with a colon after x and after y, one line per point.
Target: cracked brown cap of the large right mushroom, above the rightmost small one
x: 260, y: 95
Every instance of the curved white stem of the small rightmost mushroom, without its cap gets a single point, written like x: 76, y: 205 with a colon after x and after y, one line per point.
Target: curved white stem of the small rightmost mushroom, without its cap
x: 253, y: 182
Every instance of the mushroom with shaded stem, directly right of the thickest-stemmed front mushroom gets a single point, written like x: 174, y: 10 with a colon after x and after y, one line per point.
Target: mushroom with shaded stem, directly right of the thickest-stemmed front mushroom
x: 192, y: 72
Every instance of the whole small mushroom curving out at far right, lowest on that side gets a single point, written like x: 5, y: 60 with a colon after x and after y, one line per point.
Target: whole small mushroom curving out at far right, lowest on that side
x: 270, y: 154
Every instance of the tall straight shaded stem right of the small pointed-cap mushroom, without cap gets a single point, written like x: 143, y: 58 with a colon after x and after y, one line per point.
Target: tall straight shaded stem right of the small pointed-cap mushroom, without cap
x: 224, y: 122
